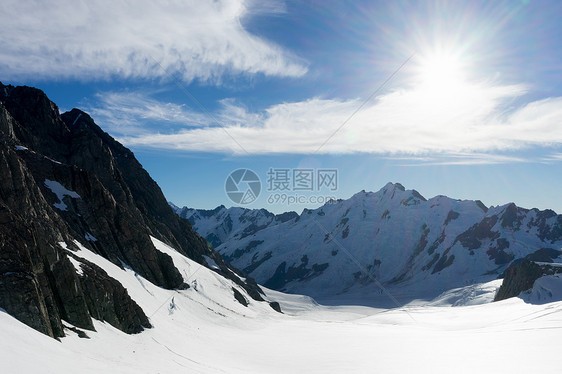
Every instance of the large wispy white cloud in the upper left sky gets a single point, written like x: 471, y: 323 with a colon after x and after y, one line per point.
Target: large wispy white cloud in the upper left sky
x: 104, y: 39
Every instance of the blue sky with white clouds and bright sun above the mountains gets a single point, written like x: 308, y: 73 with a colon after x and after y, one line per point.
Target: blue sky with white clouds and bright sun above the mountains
x: 455, y: 98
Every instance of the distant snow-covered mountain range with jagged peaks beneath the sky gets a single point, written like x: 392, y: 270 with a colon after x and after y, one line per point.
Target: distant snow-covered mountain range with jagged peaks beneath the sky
x: 394, y: 236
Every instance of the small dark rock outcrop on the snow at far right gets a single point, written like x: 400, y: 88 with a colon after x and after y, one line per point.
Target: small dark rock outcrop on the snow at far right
x: 521, y: 276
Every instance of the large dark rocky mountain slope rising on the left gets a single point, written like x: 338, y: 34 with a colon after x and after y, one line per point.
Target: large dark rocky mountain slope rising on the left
x: 109, y: 203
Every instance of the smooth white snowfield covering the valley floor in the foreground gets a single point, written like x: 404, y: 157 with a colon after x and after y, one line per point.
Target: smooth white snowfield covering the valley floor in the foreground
x: 204, y: 330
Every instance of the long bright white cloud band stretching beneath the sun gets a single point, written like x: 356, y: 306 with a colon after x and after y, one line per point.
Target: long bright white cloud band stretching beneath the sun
x: 467, y: 126
